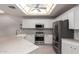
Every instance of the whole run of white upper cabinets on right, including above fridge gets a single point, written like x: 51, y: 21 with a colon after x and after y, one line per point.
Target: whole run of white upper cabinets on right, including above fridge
x: 73, y: 16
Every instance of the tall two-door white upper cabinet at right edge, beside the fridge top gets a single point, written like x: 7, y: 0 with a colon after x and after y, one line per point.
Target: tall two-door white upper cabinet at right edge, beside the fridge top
x: 73, y: 16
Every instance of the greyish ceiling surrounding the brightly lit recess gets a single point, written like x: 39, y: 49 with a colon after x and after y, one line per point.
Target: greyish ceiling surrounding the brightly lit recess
x: 13, y: 9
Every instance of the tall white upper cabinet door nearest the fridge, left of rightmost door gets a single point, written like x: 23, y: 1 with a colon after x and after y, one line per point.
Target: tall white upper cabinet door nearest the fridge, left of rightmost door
x: 71, y: 18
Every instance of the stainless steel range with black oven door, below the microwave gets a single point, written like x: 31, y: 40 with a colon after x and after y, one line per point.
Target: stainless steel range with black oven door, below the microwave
x: 39, y: 38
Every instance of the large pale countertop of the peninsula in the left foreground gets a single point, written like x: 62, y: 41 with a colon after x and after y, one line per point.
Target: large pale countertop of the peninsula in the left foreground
x: 12, y: 45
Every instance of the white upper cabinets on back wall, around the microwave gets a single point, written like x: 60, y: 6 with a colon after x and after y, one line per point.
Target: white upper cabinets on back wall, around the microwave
x: 30, y: 23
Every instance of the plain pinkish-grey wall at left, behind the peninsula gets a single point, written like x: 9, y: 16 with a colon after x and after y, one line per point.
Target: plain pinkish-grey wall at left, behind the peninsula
x: 8, y: 26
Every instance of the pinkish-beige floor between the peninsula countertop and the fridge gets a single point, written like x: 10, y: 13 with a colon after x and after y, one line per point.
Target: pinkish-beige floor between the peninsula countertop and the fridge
x: 44, y: 49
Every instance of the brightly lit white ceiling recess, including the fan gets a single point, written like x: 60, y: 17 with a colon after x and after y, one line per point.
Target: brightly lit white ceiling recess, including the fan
x: 36, y: 9
